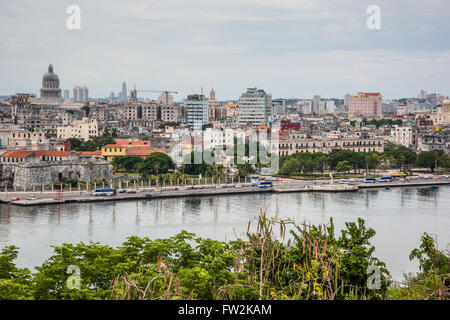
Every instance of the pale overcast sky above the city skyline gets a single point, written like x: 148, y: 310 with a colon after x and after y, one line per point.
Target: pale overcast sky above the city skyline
x: 290, y: 48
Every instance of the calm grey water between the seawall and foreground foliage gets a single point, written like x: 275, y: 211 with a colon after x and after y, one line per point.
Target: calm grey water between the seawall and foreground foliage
x: 399, y: 216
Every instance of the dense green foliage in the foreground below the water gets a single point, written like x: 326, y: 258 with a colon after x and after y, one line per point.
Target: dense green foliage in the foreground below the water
x: 313, y: 264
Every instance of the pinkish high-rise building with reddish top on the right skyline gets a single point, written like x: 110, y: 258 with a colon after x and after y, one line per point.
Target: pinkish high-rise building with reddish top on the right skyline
x: 366, y: 104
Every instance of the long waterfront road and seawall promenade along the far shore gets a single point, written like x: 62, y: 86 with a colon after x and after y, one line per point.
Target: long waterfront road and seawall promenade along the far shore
x: 67, y: 196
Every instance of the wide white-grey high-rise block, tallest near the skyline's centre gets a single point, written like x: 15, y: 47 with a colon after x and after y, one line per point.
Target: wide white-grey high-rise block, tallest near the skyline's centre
x: 255, y: 108
